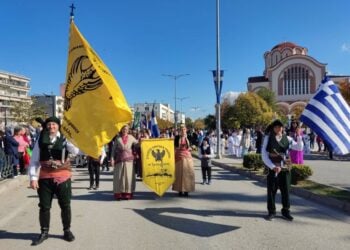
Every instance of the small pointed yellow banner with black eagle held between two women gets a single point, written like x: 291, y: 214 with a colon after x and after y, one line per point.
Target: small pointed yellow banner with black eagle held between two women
x: 158, y: 164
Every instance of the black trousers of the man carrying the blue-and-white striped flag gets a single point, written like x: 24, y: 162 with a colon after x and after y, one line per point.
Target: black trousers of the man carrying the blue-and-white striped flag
x: 282, y: 182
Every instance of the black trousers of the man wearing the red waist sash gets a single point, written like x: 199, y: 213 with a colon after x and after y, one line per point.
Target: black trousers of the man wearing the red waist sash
x: 63, y: 191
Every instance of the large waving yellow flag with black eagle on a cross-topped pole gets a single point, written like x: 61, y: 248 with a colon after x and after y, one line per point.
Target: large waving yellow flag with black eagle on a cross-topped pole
x: 95, y: 108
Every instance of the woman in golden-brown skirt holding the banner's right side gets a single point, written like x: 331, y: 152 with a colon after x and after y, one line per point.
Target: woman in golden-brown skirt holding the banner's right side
x: 184, y: 172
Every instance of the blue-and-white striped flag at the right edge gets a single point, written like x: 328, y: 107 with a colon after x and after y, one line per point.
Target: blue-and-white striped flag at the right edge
x: 328, y: 115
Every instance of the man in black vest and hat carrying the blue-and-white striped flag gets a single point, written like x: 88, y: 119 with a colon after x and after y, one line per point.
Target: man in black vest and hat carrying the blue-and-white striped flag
x: 274, y: 154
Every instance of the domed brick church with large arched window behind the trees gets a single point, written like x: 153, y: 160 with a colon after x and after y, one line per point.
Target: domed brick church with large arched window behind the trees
x: 292, y: 75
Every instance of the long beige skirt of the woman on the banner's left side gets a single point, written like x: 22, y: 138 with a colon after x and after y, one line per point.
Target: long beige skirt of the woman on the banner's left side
x: 124, y: 177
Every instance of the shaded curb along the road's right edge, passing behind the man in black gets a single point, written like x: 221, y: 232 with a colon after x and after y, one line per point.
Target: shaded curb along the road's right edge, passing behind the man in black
x: 323, y: 200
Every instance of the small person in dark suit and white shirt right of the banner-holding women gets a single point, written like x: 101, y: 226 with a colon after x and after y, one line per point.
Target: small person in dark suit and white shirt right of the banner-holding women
x: 205, y: 154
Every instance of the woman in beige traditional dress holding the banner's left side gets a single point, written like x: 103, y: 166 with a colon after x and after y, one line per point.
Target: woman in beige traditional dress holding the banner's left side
x: 122, y: 160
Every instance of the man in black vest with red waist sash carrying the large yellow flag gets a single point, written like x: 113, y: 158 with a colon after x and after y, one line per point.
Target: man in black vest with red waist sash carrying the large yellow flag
x: 50, y: 174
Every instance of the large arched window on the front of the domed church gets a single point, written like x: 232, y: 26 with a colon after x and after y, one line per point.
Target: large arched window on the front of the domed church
x: 296, y: 80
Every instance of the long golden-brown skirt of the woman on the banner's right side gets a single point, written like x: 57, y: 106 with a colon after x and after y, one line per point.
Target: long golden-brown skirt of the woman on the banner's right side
x: 184, y: 175
